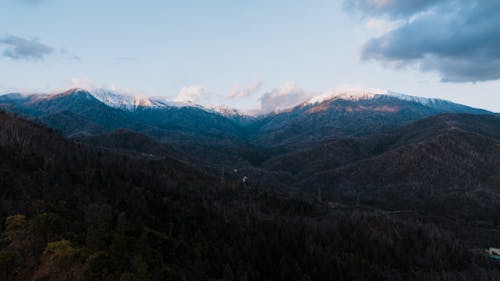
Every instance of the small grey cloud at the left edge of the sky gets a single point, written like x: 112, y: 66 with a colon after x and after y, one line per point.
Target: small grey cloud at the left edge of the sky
x: 21, y: 48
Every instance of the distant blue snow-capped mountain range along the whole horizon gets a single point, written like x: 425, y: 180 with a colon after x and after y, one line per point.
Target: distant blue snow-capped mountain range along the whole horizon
x: 346, y: 114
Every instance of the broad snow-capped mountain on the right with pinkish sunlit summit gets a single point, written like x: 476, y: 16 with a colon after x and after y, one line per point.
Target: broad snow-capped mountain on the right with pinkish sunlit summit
x: 347, y: 114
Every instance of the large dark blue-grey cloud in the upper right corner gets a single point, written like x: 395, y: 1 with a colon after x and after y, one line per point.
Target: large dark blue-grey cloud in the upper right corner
x: 457, y: 39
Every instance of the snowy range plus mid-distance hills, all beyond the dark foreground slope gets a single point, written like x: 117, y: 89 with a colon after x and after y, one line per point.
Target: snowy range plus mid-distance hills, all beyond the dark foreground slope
x: 353, y: 147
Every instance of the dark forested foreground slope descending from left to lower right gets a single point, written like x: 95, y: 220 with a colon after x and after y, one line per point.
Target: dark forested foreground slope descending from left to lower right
x: 72, y: 212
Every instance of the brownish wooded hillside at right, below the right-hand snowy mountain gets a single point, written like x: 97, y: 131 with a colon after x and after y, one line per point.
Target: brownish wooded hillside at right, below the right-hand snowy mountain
x: 442, y: 165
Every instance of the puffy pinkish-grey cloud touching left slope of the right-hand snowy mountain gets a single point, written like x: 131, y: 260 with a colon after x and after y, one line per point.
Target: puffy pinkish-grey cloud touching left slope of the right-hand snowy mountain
x: 286, y: 96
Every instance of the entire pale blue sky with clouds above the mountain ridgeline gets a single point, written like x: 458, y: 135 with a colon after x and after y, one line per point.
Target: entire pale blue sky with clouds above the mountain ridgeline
x: 253, y: 54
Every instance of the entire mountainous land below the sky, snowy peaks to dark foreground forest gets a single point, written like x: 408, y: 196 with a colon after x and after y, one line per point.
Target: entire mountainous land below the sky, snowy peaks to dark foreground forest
x: 185, y: 191
